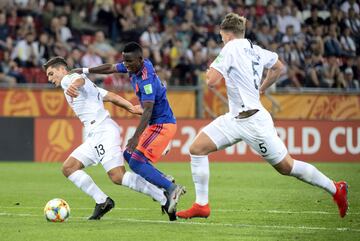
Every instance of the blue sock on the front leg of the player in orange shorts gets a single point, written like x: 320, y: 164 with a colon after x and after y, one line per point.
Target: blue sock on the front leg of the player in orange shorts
x: 139, y: 164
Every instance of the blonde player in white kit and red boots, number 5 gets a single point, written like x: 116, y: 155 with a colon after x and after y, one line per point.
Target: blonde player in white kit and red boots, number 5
x: 241, y: 64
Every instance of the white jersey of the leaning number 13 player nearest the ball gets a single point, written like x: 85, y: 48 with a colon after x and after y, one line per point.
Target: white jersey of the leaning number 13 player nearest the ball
x: 88, y: 106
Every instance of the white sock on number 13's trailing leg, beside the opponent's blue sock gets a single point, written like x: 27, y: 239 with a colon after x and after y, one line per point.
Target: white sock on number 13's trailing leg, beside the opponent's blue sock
x: 139, y: 184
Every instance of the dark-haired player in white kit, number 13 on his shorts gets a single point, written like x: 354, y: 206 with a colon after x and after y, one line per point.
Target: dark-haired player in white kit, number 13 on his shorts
x: 102, y: 144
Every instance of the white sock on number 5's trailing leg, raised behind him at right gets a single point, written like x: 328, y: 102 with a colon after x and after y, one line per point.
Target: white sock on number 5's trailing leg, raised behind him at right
x: 310, y: 174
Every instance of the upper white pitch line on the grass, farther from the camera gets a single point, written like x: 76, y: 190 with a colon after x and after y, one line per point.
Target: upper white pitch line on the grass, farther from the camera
x: 213, y: 210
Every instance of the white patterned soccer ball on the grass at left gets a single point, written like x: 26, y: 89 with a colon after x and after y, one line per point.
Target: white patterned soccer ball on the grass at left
x: 57, y: 210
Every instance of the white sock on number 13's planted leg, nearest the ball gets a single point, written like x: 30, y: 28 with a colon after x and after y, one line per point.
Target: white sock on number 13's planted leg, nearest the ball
x: 83, y: 181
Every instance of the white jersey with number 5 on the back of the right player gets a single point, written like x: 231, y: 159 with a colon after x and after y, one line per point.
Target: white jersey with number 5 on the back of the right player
x: 241, y: 63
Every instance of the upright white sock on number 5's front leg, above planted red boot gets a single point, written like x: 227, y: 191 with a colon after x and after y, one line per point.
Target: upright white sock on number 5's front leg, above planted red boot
x: 200, y: 173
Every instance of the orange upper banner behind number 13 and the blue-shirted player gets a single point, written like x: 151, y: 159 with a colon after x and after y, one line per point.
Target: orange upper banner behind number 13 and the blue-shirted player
x: 52, y: 103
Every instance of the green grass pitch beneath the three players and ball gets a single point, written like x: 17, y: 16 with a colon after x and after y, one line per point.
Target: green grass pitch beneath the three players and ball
x: 249, y: 201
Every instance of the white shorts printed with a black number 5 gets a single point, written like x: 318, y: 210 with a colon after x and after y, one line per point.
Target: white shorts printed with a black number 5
x: 257, y: 131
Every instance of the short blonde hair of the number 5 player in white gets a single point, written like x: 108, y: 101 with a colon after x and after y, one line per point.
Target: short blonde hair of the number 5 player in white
x: 234, y: 23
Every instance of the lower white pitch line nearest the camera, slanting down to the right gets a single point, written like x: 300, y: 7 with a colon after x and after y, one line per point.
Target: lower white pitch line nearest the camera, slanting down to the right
x: 233, y: 225
